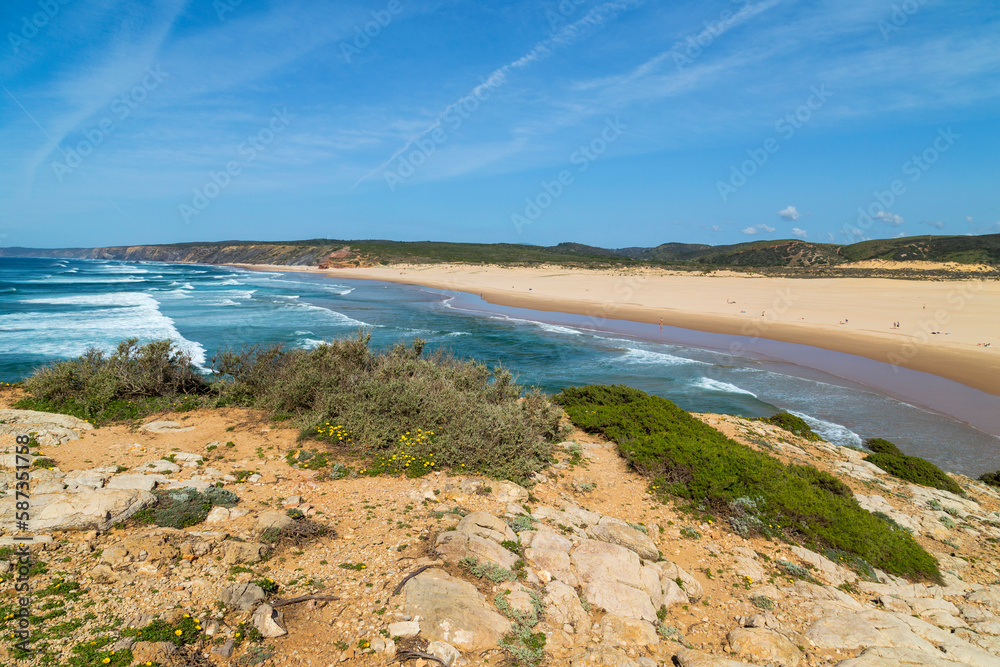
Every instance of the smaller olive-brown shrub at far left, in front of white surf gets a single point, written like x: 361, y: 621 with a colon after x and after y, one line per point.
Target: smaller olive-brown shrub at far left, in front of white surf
x: 131, y: 382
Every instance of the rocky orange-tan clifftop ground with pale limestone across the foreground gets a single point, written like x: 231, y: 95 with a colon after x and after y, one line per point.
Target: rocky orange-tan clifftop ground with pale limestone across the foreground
x: 583, y: 568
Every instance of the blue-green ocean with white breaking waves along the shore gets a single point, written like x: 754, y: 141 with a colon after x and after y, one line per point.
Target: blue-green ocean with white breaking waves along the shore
x: 55, y: 309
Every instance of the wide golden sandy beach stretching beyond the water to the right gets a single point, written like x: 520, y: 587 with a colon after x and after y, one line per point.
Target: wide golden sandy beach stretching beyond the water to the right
x: 943, y: 325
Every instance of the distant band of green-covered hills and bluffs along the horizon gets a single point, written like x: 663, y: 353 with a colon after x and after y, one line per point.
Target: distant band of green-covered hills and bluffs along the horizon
x: 780, y: 253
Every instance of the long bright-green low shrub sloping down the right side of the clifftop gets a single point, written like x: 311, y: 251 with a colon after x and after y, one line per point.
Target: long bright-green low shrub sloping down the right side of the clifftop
x: 689, y: 459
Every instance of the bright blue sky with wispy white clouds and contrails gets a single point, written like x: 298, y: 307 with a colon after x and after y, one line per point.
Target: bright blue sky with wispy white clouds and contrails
x: 613, y: 123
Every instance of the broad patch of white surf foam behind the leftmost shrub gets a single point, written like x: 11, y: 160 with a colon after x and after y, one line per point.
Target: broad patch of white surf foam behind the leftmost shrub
x: 112, y: 318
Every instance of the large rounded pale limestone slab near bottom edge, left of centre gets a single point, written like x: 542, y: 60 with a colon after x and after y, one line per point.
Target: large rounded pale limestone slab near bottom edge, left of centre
x: 453, y: 611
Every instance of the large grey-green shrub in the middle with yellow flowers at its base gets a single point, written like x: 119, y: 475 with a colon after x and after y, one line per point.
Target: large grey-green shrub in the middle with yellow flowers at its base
x: 346, y: 394
